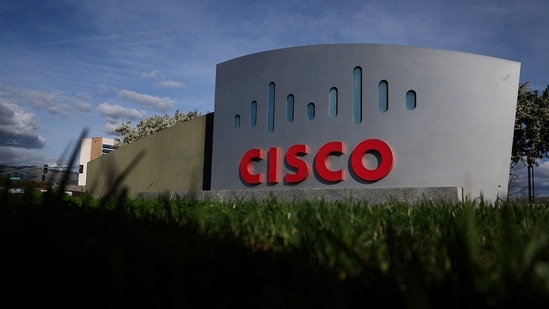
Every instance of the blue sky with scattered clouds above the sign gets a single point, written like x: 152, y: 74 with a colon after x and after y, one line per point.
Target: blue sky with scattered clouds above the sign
x: 75, y: 64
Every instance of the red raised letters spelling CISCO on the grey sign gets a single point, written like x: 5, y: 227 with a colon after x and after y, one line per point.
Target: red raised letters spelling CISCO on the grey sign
x: 294, y: 159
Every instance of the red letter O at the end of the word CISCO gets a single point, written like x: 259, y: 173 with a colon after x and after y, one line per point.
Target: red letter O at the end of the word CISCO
x: 385, y: 166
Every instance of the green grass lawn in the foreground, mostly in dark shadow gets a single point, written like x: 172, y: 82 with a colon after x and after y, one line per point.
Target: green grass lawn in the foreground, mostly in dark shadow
x: 75, y: 252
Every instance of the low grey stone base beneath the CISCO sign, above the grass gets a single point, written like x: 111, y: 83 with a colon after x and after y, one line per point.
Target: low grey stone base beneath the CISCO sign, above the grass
x: 369, y: 195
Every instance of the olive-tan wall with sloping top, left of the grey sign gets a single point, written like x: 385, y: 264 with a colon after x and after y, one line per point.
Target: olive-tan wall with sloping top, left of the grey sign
x: 171, y: 160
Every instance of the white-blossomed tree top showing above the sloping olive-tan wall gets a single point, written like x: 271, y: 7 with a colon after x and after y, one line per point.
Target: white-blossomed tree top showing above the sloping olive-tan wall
x: 150, y: 125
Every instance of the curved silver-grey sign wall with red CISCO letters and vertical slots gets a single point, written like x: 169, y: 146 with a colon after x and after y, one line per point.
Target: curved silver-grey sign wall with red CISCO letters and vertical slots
x: 364, y: 116
